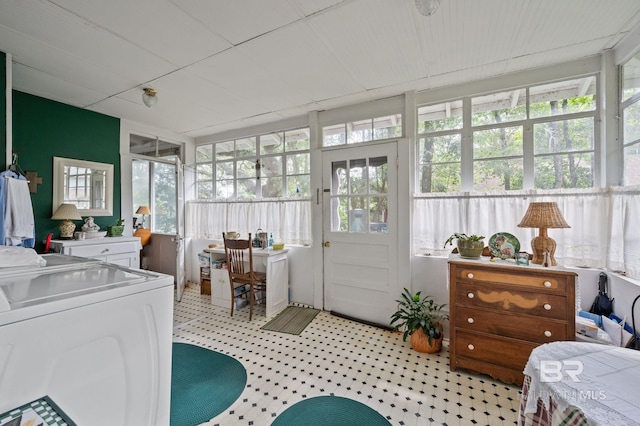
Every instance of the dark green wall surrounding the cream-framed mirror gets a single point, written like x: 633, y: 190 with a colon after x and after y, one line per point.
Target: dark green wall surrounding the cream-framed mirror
x: 43, y: 129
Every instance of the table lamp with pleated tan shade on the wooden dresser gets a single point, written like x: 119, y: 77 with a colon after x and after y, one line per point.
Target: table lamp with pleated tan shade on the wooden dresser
x: 543, y: 216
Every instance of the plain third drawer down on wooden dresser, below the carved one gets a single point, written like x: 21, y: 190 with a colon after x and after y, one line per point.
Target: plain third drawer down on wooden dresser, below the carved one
x: 534, y: 329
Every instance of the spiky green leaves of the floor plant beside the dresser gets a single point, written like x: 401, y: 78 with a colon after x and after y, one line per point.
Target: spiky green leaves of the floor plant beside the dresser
x: 416, y: 312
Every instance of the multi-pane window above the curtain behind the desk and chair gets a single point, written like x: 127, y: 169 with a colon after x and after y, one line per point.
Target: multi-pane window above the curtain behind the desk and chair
x: 270, y: 166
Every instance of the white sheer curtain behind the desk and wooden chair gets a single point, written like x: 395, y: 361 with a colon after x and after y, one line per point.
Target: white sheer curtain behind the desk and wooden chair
x: 288, y: 220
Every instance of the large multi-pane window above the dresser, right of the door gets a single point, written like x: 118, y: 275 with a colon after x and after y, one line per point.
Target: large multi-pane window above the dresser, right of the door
x: 561, y: 114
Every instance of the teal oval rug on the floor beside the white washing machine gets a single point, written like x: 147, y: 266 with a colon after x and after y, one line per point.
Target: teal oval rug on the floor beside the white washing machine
x: 204, y: 383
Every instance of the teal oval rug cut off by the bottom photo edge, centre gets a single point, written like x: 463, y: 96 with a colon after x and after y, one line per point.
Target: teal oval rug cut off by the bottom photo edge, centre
x: 330, y: 411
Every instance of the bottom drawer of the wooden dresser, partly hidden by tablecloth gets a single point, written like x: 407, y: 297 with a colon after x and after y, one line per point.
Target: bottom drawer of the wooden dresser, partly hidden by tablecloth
x: 508, y: 353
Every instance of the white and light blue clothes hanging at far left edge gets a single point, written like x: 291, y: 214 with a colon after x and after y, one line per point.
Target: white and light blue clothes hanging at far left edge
x: 17, y: 224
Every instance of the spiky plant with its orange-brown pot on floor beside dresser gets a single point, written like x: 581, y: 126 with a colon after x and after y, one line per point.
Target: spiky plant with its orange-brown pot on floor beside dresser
x: 421, y: 318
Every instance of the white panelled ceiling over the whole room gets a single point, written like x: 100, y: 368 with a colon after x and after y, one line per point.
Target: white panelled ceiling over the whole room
x: 224, y: 64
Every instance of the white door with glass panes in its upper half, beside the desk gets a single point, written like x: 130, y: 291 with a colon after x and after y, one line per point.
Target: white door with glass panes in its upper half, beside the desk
x: 360, y: 231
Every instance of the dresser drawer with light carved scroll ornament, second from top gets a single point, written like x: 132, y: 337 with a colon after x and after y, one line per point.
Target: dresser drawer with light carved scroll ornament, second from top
x: 506, y: 299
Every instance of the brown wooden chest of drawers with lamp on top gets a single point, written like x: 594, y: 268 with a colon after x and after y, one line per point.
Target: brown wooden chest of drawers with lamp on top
x: 499, y: 313
